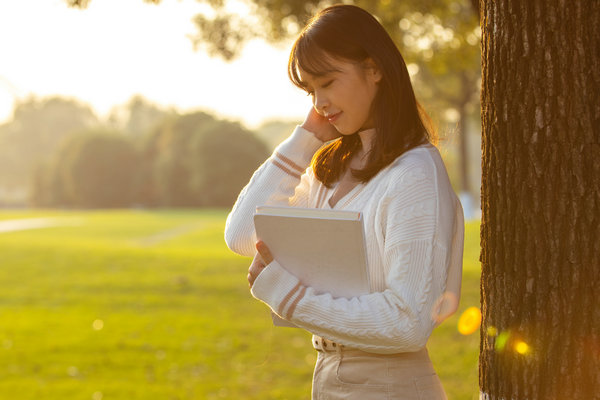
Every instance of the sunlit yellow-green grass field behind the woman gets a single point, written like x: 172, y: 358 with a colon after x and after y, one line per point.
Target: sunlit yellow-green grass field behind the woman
x: 152, y: 305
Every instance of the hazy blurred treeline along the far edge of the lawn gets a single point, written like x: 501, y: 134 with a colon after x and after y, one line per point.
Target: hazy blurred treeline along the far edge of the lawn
x: 56, y: 152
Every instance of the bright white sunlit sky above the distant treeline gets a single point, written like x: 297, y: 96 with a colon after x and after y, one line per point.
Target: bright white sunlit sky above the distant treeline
x: 115, y: 49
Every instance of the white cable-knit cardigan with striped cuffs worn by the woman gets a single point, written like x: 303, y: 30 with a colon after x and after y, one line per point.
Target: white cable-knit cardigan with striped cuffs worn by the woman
x: 414, y: 228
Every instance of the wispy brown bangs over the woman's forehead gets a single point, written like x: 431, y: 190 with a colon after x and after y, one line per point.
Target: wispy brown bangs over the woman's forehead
x: 306, y: 55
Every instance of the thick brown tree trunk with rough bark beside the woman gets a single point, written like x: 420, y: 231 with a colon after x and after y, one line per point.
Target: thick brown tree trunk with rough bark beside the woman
x: 540, y: 335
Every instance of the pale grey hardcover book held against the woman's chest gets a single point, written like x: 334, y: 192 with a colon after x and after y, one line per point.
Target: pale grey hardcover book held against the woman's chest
x: 325, y: 249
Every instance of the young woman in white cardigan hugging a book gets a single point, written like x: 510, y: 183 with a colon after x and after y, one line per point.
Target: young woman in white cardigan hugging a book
x: 363, y: 146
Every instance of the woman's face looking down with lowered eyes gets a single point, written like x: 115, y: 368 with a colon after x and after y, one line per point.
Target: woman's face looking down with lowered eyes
x: 344, y: 94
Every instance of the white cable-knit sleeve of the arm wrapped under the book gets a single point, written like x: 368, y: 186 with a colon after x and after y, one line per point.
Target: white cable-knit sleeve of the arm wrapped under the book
x: 397, y: 319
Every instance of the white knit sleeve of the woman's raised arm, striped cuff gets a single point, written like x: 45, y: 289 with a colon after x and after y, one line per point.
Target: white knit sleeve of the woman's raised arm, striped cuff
x: 281, y: 180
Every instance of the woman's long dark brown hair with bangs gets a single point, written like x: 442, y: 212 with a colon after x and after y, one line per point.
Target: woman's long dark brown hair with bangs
x: 350, y: 33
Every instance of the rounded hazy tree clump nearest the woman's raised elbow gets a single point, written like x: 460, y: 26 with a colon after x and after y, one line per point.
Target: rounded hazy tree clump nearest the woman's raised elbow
x: 196, y: 160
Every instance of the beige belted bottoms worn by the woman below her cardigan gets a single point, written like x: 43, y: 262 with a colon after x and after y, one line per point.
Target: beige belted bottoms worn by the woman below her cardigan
x: 349, y: 374
